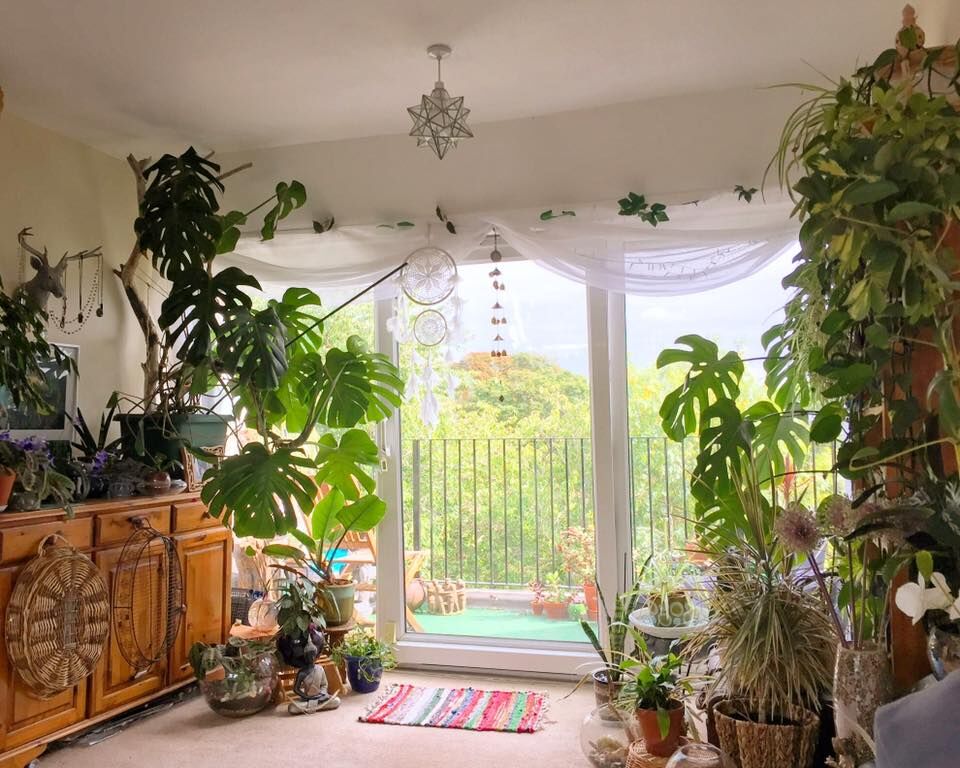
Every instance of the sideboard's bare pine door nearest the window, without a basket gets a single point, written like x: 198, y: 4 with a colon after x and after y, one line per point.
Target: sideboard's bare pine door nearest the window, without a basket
x: 206, y: 561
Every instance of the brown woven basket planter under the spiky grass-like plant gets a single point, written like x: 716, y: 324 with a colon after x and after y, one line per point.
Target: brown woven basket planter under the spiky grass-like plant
x: 759, y: 745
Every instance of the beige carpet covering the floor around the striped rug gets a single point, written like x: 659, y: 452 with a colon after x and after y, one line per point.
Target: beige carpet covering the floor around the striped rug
x: 191, y: 735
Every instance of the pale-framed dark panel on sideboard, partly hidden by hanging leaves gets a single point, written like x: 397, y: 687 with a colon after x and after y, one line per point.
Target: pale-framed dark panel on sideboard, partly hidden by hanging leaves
x: 61, y: 382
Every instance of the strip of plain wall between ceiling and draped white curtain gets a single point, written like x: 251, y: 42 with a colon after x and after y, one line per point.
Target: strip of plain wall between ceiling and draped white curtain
x: 682, y: 145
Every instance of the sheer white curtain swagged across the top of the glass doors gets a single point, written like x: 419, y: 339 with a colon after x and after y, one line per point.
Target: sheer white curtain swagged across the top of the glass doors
x: 704, y: 245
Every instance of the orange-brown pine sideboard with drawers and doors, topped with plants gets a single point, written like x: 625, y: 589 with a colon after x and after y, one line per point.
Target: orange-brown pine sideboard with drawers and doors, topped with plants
x: 99, y: 529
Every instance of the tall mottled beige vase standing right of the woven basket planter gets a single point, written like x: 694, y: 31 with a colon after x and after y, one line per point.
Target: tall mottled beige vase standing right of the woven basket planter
x: 861, y: 683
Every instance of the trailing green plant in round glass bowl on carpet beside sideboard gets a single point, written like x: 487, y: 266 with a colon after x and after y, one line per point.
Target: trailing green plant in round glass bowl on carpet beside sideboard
x: 237, y: 679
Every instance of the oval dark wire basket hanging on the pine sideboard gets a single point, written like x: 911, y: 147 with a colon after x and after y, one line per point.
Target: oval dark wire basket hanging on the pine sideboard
x: 147, y: 597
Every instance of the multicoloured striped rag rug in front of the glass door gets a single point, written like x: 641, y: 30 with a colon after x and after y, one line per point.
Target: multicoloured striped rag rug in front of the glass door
x: 465, y: 708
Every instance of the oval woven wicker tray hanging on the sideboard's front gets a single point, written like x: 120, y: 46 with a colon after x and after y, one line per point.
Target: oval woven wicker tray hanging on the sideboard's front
x: 58, y: 618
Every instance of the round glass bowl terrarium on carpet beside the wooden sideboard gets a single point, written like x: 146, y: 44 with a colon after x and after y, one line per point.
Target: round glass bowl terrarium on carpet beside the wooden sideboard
x: 242, y: 685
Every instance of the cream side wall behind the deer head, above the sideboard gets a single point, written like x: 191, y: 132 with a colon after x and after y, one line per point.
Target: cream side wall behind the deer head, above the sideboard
x: 73, y: 197
